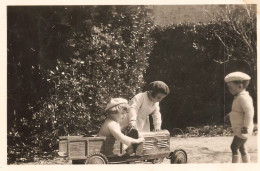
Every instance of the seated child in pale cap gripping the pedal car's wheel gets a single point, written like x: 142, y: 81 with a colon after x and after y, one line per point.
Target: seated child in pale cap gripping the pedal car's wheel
x: 116, y: 111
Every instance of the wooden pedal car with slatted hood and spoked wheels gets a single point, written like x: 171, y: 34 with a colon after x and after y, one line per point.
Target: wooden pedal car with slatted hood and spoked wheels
x: 102, y: 150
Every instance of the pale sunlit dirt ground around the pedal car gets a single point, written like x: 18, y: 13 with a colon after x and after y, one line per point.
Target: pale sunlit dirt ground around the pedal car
x: 199, y: 150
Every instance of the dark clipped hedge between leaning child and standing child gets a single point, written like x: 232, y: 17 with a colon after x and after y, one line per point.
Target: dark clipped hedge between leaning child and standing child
x: 187, y: 57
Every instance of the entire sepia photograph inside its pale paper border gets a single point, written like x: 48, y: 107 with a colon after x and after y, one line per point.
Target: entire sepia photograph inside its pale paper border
x: 131, y: 84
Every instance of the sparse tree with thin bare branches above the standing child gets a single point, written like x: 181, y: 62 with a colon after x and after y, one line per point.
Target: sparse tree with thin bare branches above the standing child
x: 238, y: 36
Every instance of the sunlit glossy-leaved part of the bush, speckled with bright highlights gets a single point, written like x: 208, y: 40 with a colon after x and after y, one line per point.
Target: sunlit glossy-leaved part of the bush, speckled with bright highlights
x: 108, y: 60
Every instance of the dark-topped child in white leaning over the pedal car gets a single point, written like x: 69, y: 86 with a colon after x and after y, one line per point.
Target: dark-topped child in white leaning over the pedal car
x: 144, y: 104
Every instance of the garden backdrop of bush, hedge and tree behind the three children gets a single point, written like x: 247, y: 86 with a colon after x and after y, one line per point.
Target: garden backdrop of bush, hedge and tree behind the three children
x: 66, y: 62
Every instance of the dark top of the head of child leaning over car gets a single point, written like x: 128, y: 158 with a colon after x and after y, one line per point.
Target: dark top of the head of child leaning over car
x: 158, y: 87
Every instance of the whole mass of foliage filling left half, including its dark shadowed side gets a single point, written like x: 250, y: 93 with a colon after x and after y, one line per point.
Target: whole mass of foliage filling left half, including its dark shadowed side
x: 86, y: 55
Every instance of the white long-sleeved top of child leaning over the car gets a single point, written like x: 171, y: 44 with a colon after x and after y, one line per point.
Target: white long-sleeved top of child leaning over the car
x: 140, y: 109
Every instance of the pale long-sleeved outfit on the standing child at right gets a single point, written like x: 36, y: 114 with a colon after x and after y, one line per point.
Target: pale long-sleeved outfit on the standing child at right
x: 242, y: 113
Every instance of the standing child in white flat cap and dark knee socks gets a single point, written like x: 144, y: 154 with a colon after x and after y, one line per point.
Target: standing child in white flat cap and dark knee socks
x: 241, y: 116
